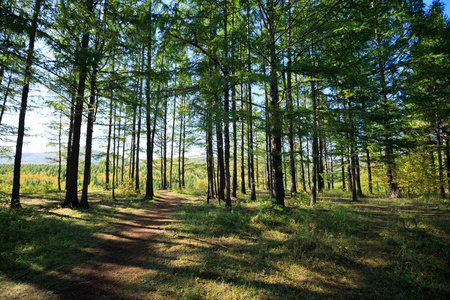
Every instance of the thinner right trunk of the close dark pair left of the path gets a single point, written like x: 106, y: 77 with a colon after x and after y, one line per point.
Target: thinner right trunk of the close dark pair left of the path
x: 89, y: 133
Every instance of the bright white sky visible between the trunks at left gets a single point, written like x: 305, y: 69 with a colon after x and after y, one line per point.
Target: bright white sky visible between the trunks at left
x: 38, y: 118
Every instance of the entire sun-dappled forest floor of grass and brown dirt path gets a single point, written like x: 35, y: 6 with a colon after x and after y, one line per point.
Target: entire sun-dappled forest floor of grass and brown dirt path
x: 177, y: 247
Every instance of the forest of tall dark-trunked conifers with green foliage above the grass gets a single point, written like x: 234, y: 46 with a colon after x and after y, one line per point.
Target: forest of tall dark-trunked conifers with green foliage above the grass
x: 316, y: 92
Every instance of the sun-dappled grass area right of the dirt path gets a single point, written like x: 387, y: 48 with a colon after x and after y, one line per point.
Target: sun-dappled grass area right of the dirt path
x: 377, y: 249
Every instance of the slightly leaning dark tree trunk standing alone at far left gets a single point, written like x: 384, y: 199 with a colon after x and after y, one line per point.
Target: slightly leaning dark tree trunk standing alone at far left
x: 15, y: 197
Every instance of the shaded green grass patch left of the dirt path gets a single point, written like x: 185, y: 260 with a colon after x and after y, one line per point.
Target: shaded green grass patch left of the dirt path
x: 41, y: 243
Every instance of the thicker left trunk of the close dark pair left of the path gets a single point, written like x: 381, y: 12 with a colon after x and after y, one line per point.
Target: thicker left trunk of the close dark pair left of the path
x: 71, y: 193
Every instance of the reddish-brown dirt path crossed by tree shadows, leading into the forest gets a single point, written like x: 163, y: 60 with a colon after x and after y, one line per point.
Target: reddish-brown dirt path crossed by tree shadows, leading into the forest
x: 119, y: 264
